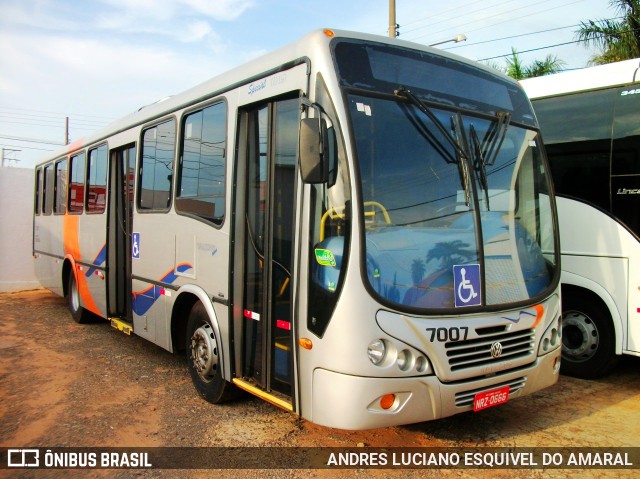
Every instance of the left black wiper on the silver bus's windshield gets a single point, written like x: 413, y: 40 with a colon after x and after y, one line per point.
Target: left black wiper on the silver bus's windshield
x: 457, y: 140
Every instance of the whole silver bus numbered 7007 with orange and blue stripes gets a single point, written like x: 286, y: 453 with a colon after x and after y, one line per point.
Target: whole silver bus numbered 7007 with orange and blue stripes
x: 356, y: 229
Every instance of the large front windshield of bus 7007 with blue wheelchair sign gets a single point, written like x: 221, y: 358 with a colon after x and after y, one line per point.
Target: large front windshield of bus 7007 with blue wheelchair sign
x: 456, y: 203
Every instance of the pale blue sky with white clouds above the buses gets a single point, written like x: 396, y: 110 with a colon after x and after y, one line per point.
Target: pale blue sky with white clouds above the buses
x: 95, y: 61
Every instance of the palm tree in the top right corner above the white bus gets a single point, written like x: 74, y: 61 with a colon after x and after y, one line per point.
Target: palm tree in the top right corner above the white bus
x: 618, y: 38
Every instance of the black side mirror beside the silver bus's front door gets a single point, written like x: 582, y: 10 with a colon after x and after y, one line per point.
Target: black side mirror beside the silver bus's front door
x: 314, y: 165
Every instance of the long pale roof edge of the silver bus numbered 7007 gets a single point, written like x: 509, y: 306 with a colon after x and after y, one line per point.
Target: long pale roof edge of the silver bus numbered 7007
x: 284, y: 57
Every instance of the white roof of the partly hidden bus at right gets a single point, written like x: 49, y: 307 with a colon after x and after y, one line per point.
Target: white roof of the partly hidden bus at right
x: 592, y: 78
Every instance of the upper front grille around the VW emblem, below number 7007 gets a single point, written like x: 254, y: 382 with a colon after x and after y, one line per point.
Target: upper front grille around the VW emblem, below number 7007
x: 477, y: 352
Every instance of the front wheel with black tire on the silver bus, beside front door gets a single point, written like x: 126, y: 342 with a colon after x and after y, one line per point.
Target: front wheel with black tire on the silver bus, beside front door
x: 203, y: 358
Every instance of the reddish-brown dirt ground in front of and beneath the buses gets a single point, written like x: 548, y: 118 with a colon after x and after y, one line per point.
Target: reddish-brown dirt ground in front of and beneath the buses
x: 71, y: 385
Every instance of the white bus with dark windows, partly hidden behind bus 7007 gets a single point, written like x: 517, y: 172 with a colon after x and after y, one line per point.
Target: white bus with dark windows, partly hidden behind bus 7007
x: 590, y: 122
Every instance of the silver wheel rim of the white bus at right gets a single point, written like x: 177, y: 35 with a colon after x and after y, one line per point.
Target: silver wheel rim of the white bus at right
x: 580, y: 337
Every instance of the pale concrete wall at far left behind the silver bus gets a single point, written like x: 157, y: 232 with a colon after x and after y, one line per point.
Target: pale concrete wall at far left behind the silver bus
x: 16, y: 230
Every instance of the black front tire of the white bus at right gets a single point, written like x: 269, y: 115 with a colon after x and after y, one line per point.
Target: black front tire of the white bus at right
x: 588, y: 337
